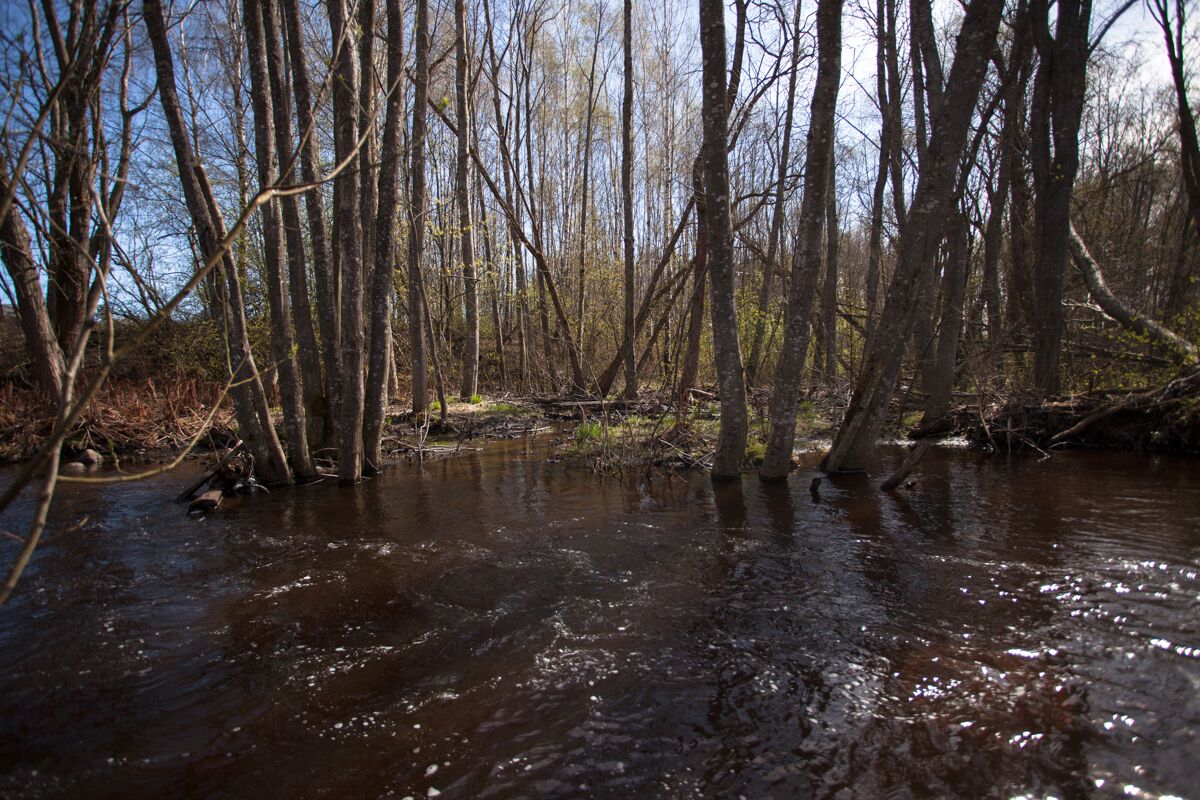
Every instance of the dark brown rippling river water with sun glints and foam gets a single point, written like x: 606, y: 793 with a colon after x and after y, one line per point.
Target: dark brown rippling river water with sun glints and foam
x: 497, y: 625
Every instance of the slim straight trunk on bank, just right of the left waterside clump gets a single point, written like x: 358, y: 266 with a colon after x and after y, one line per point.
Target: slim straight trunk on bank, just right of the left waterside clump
x: 417, y: 210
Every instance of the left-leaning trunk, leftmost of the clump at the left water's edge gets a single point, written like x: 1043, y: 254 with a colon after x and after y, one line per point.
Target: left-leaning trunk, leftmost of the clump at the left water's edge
x: 250, y: 400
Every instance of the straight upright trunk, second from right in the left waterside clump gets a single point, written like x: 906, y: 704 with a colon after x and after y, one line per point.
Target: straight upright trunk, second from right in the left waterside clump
x: 350, y: 240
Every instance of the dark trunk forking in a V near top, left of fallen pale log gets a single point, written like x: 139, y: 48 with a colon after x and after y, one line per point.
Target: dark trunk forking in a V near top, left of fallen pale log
x: 1059, y: 106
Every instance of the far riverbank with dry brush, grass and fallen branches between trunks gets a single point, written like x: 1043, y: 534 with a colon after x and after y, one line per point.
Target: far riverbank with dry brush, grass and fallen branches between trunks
x: 146, y: 422
